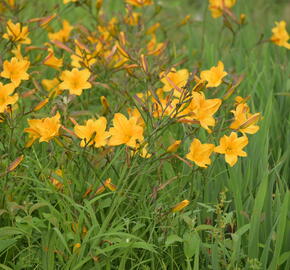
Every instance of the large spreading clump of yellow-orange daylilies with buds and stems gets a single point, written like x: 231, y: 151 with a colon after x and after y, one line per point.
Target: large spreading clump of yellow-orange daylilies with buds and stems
x: 146, y: 102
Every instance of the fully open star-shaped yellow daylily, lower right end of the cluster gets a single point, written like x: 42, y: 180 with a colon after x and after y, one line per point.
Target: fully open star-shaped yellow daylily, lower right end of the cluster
x: 231, y: 146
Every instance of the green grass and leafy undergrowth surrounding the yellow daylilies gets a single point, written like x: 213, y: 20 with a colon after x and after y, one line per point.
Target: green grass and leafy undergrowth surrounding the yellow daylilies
x: 238, y: 218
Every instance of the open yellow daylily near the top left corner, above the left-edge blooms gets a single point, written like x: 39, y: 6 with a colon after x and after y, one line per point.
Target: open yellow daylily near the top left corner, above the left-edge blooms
x: 17, y: 33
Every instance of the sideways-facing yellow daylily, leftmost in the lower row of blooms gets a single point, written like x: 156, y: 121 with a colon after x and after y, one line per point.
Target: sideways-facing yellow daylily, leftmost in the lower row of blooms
x: 43, y: 129
